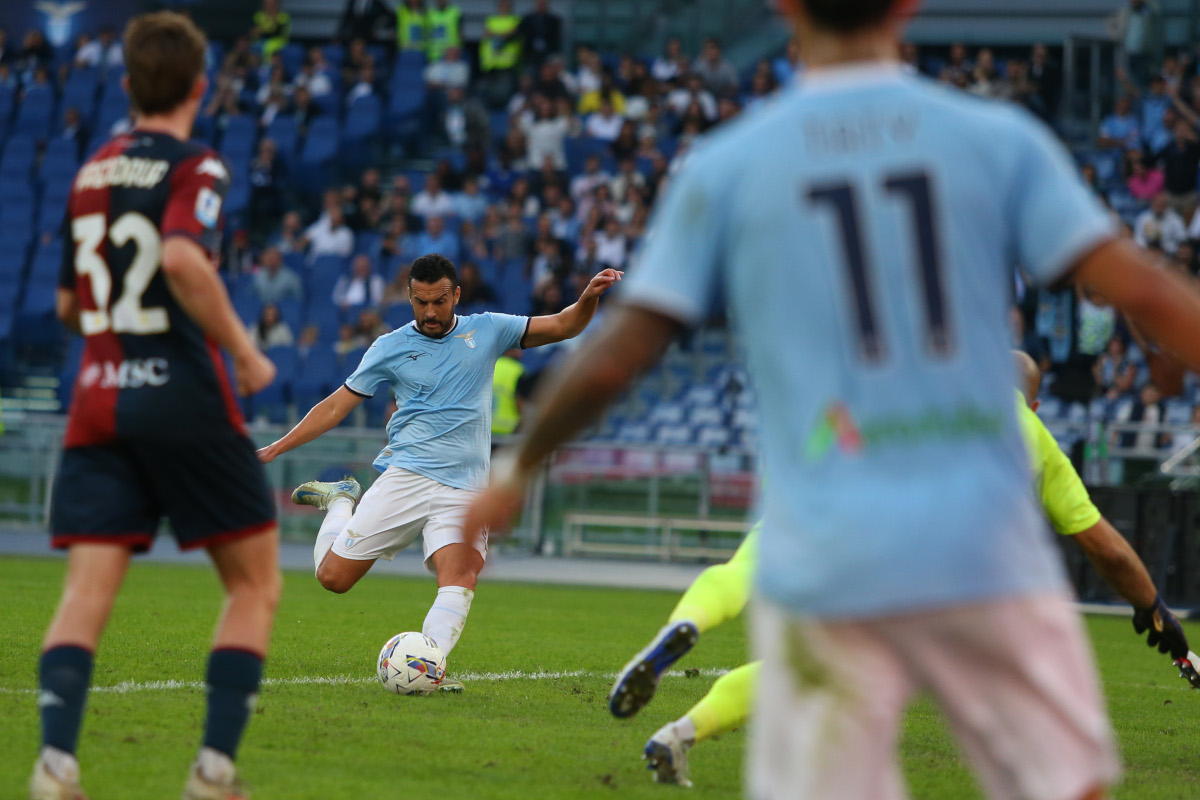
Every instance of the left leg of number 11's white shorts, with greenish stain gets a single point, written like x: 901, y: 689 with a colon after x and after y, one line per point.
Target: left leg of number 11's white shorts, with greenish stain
x: 827, y: 712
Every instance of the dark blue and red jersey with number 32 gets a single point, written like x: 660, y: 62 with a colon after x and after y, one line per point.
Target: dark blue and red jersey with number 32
x: 148, y: 370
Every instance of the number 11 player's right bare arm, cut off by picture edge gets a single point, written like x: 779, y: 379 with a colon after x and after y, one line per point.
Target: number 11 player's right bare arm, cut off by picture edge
x: 1163, y: 305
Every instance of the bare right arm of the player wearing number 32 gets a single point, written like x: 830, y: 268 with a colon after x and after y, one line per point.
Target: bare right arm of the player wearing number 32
x: 197, y: 287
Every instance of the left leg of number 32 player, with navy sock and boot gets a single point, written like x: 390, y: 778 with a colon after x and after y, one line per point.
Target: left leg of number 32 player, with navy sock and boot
x: 95, y: 573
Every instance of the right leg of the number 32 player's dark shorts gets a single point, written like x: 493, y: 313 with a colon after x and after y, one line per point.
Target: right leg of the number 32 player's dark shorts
x: 213, y: 491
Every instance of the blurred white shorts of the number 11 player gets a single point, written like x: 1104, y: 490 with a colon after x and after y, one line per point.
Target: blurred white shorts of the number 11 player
x: 1015, y: 679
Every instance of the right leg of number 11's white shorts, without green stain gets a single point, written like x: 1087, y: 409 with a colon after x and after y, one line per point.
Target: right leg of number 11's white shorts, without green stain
x: 1017, y: 682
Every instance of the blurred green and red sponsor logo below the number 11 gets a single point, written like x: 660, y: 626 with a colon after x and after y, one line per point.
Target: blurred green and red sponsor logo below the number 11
x: 838, y: 429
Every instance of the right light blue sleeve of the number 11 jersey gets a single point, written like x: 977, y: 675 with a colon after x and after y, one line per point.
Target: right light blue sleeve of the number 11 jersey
x: 1054, y: 218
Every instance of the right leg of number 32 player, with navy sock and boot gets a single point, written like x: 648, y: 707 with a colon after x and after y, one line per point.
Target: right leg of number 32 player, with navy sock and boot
x: 250, y: 572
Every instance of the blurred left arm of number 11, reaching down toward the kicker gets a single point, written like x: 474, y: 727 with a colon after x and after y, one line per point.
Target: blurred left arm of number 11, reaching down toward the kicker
x: 573, y: 399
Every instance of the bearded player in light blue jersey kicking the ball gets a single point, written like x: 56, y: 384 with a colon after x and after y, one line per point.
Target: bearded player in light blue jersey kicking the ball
x: 440, y: 368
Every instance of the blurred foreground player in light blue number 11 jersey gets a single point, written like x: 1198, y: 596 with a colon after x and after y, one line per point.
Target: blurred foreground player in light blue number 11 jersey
x: 863, y: 230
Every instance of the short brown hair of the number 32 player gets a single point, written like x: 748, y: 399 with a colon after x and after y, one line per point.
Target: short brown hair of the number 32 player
x: 164, y: 56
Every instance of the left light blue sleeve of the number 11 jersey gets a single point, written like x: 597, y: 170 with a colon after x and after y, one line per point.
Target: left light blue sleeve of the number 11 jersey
x: 677, y: 269
